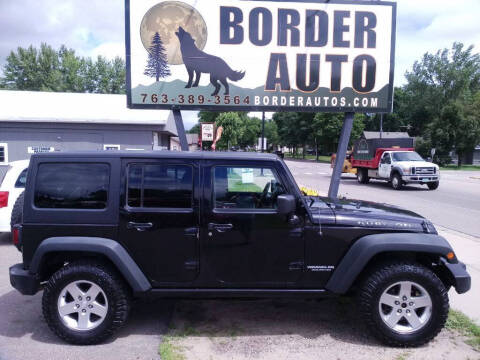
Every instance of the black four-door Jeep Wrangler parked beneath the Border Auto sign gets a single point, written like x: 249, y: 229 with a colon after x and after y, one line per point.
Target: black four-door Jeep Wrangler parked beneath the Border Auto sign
x: 99, y: 229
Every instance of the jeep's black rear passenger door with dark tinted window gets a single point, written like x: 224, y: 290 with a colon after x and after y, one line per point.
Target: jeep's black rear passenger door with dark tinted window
x: 159, y: 218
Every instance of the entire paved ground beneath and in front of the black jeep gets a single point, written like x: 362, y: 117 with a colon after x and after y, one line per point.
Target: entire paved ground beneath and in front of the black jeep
x: 211, y: 329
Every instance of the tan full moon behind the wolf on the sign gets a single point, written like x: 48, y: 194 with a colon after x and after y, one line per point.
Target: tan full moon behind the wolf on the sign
x: 165, y: 18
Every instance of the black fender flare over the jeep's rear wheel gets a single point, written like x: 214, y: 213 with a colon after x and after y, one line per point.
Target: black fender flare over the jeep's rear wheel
x: 115, y: 252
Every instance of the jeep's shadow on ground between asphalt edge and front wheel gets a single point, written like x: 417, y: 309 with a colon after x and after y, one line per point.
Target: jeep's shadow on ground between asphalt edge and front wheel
x: 310, y: 319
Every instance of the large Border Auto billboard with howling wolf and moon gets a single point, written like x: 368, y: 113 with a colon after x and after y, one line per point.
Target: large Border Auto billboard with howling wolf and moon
x: 260, y: 55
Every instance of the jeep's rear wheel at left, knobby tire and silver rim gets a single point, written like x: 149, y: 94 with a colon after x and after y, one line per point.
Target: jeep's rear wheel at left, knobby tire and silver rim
x: 85, y: 302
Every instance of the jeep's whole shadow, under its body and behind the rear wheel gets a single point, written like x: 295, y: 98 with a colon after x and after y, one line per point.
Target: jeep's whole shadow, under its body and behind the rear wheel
x: 338, y: 318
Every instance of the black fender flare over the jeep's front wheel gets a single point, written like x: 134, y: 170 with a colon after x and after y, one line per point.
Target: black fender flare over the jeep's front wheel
x: 365, y: 248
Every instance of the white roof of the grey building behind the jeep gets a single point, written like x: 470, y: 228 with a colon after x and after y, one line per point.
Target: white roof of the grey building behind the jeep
x: 37, y: 106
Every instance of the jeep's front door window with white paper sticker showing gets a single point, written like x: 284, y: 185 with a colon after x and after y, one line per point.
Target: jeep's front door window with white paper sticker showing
x: 246, y: 188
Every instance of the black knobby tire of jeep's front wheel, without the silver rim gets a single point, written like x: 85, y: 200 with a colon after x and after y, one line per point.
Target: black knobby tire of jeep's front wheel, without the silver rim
x: 379, y: 279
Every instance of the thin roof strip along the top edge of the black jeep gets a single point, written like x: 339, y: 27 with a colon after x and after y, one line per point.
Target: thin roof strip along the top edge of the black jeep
x: 164, y: 154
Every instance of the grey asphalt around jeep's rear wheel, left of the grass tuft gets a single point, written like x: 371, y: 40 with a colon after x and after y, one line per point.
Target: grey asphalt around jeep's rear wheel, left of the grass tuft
x: 24, y: 334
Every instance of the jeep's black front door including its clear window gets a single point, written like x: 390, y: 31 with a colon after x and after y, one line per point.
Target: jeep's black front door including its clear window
x: 248, y: 243
